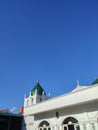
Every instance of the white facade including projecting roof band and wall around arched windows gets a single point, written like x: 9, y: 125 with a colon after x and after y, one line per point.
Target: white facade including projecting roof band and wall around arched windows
x: 82, y: 105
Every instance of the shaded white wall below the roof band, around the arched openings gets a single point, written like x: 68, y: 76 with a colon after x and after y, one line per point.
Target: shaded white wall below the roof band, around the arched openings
x: 85, y: 114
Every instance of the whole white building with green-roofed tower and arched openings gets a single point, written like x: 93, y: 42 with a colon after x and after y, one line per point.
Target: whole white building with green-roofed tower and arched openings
x: 77, y: 110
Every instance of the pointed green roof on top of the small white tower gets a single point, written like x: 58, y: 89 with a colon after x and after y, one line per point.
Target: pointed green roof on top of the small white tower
x: 37, y: 89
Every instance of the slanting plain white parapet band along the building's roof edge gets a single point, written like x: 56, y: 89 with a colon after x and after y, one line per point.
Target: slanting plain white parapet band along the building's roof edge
x: 68, y: 100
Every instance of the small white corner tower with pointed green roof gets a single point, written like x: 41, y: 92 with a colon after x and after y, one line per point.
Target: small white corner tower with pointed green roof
x: 37, y: 94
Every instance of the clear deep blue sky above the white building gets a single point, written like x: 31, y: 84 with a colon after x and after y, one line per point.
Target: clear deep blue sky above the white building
x: 55, y: 41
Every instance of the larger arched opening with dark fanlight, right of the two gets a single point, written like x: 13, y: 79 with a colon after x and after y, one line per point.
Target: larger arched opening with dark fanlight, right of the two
x: 70, y: 123
